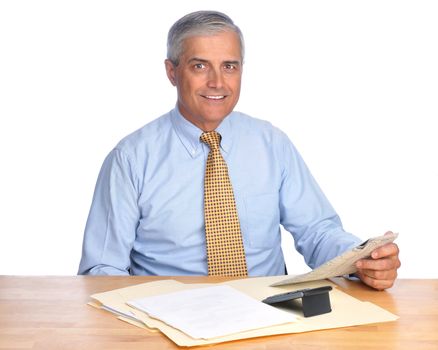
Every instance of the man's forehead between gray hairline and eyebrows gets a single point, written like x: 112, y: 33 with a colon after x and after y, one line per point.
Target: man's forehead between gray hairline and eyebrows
x: 219, y: 46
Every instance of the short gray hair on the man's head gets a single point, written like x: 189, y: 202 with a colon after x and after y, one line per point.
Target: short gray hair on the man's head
x: 199, y: 23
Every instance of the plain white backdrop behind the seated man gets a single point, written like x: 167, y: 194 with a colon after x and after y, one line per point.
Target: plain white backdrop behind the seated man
x: 354, y: 84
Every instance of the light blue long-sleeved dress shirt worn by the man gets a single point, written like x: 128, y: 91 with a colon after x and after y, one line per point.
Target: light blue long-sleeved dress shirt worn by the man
x: 147, y: 217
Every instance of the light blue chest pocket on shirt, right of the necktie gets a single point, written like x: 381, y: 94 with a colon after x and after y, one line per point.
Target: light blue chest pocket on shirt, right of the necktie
x: 262, y: 220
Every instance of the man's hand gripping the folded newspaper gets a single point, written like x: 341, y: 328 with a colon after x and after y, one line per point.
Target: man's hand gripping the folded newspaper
x: 380, y: 270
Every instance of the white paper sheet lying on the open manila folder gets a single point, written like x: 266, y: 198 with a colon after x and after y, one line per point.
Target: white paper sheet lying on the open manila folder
x: 210, y: 312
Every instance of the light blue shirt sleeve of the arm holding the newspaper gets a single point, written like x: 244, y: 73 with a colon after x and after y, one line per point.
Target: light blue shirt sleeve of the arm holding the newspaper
x: 307, y: 214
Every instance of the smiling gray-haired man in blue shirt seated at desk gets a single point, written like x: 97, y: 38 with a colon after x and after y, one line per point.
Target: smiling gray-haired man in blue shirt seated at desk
x: 147, y: 215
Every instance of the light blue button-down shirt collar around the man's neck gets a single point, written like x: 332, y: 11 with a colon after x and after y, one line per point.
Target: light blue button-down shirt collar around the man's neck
x: 189, y: 134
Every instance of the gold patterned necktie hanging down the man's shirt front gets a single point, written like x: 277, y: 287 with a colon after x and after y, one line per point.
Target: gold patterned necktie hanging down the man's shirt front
x: 225, y: 251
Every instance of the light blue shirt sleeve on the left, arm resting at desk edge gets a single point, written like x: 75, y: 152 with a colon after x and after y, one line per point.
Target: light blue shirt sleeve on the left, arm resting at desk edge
x: 113, y: 219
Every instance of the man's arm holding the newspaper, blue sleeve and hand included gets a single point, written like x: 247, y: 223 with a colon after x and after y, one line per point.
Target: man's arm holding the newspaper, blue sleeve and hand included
x: 317, y: 229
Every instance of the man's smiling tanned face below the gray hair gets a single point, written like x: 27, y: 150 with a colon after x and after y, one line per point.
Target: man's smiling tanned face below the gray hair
x: 208, y: 78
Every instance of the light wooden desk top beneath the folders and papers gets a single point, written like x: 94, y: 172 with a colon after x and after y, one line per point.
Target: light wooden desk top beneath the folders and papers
x: 51, y: 313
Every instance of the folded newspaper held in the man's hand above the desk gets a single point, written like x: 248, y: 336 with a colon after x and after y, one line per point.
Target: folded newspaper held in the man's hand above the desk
x: 343, y: 264
